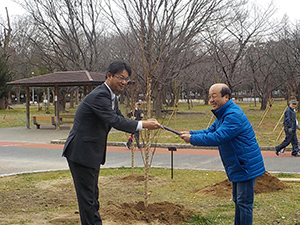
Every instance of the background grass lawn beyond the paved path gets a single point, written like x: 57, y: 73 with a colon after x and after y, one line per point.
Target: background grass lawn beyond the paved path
x: 198, y: 117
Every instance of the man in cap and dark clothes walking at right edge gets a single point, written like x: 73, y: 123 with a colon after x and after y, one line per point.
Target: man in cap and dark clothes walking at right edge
x: 290, y: 125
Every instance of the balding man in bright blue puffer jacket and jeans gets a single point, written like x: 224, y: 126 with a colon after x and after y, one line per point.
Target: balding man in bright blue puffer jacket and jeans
x: 232, y: 132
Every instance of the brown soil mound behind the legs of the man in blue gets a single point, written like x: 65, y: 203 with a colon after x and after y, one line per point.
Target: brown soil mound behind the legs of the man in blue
x: 264, y: 184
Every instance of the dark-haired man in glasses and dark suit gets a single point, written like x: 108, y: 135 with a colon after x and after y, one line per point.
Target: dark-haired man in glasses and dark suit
x: 85, y: 147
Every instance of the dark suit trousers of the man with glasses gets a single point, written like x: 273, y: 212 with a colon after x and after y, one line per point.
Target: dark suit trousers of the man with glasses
x: 86, y: 186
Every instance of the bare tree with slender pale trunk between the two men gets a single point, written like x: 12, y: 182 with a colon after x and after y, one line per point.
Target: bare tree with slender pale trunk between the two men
x: 158, y: 35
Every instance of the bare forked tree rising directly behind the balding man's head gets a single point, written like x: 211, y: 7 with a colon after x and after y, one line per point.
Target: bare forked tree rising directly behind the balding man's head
x: 240, y: 29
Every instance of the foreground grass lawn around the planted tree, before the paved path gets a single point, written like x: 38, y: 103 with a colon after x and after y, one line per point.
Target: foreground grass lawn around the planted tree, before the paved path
x: 49, y: 198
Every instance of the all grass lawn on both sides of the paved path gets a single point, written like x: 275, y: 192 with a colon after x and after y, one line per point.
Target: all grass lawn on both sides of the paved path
x: 49, y: 198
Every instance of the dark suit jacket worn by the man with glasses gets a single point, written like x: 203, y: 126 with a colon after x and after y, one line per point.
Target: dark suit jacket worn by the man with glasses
x: 86, y: 143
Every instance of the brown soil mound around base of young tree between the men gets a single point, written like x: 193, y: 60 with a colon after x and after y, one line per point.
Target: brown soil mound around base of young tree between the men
x: 162, y: 212
